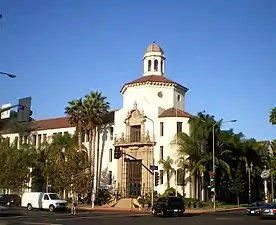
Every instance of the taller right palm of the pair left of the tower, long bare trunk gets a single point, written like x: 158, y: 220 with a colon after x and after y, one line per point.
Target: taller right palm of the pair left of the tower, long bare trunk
x: 96, y: 108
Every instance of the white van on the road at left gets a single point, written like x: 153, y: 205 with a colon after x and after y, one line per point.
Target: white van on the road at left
x: 42, y: 200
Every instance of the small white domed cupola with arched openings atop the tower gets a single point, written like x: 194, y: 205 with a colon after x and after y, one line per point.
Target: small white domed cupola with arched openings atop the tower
x: 154, y: 60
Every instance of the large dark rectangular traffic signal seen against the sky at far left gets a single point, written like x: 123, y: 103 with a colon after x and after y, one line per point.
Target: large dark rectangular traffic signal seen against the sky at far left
x: 24, y: 109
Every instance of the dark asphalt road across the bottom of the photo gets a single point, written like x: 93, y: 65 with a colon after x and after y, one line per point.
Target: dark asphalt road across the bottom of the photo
x: 107, y: 218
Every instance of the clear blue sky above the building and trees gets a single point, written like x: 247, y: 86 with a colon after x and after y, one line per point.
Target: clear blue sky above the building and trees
x: 223, y: 51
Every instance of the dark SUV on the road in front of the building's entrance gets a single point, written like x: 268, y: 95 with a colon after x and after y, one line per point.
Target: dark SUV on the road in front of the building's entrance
x: 168, y: 206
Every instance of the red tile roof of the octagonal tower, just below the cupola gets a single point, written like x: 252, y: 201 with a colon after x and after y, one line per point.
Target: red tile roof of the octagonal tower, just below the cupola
x: 153, y: 79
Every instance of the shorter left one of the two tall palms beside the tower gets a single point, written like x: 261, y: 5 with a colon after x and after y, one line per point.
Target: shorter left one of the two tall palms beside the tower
x: 75, y: 111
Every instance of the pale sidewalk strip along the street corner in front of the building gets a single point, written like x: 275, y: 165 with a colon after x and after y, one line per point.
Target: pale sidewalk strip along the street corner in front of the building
x: 188, y: 210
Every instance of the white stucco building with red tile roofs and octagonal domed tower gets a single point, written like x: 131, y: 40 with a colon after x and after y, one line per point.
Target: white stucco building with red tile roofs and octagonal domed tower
x: 153, y: 112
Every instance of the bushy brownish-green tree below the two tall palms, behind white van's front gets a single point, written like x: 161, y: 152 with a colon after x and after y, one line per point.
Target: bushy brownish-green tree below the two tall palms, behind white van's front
x: 67, y: 165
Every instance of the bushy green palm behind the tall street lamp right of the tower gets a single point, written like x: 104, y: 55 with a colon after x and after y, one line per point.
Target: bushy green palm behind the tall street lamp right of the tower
x: 197, y: 148
